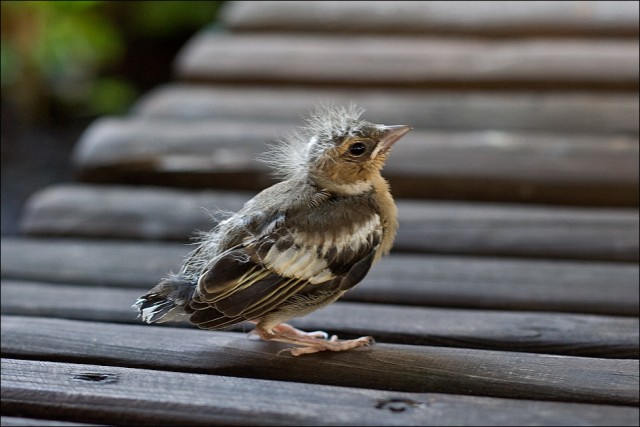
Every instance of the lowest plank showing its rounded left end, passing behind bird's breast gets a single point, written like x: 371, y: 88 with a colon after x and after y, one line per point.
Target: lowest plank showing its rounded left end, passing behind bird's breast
x: 433, y: 227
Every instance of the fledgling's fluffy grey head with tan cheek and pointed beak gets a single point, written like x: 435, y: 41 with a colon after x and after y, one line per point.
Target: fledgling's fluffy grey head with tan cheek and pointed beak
x: 337, y: 150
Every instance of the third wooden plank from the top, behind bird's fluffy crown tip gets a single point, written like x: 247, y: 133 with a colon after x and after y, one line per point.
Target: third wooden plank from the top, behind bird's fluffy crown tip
x: 594, y: 113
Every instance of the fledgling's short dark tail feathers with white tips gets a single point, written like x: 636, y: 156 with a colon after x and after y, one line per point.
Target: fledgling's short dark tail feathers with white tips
x: 166, y: 301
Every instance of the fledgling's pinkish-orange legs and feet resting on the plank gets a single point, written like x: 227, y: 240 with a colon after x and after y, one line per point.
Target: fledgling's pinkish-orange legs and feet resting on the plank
x: 311, y: 342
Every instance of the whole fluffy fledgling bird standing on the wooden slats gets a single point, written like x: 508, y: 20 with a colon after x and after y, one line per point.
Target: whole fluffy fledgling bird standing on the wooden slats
x: 297, y: 245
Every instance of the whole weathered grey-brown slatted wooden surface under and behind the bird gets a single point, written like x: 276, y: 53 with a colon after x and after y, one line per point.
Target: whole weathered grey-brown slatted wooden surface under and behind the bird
x: 511, y: 296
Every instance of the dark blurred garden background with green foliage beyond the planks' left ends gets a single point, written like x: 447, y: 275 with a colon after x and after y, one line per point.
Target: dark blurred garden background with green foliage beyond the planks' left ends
x: 66, y: 62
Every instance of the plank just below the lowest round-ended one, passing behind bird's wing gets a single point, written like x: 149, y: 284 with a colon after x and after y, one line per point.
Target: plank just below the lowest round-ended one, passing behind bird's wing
x: 462, y: 282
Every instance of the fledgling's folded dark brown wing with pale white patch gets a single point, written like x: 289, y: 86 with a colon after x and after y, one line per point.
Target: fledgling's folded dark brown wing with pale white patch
x: 258, y: 275
